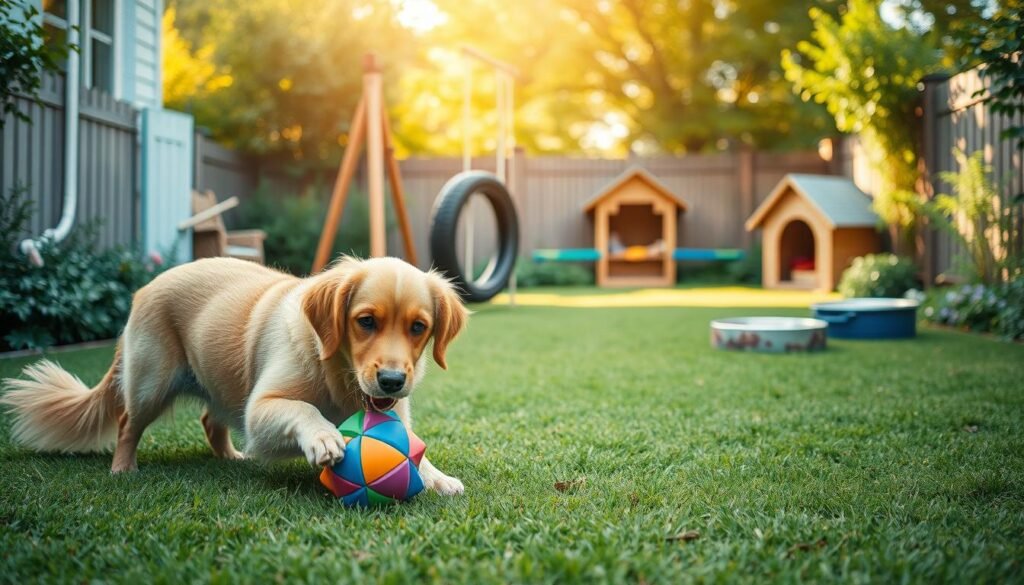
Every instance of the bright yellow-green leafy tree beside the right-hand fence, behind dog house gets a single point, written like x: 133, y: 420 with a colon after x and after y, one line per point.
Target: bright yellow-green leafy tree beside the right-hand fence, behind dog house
x: 867, y: 74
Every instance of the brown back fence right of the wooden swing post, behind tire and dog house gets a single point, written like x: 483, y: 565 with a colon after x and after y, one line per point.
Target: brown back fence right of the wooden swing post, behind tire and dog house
x: 721, y: 191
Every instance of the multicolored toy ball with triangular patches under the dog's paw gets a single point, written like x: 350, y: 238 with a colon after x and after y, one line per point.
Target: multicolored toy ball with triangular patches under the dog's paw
x: 381, y: 465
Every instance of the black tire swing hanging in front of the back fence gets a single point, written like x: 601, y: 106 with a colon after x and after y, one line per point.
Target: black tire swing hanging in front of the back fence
x: 445, y: 223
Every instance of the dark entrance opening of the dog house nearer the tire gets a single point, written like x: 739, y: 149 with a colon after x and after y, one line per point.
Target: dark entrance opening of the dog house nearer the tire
x: 635, y: 244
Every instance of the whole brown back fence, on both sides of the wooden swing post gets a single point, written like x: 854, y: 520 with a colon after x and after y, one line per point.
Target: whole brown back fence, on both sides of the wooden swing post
x: 721, y: 191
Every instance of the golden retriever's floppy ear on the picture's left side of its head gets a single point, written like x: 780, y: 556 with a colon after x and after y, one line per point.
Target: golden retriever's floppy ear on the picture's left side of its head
x: 326, y: 306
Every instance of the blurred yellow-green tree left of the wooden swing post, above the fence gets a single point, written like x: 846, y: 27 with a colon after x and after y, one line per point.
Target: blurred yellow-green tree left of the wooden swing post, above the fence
x: 278, y: 78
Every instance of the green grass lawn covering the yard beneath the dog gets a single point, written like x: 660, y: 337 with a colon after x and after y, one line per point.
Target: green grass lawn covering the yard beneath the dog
x: 875, y: 462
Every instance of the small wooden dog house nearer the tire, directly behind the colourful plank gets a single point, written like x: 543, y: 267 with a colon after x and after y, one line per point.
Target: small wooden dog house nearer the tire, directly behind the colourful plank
x: 635, y: 231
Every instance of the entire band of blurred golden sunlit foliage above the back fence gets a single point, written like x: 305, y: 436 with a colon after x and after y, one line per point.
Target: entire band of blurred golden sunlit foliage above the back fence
x: 599, y: 77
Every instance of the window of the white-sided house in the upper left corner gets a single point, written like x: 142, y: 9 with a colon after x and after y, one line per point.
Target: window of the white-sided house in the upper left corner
x: 97, y: 38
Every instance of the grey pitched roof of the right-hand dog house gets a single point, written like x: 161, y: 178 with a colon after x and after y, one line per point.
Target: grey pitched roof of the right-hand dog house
x: 838, y: 199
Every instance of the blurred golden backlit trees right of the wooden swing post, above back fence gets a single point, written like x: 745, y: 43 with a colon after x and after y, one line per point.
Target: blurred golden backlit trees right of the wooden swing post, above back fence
x: 653, y: 75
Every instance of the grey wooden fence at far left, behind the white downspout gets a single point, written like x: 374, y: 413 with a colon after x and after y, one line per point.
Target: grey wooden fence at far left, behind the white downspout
x: 32, y: 156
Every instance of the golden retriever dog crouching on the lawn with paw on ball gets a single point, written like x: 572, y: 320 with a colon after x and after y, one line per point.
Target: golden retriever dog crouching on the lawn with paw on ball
x: 283, y: 360
